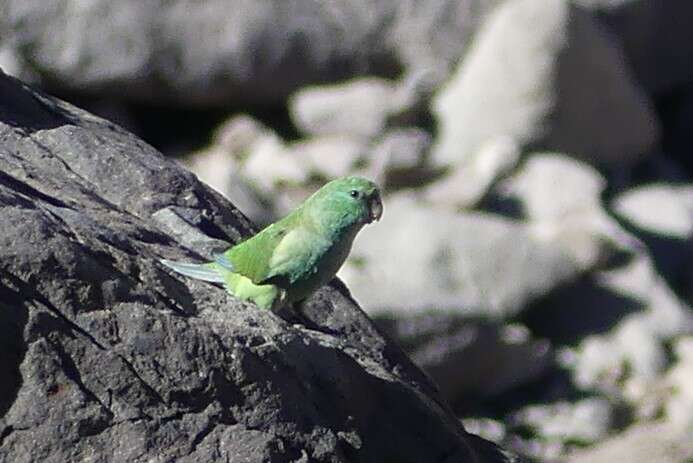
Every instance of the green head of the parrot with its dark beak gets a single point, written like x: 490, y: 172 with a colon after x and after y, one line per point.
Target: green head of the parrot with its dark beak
x: 355, y: 198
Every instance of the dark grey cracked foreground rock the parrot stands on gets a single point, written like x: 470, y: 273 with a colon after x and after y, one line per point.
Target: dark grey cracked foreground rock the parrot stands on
x: 108, y: 357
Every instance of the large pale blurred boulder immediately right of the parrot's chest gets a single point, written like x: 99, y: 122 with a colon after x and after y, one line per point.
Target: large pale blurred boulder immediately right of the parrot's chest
x: 433, y: 258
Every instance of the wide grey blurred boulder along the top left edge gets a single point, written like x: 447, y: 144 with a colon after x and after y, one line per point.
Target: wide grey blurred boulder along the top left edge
x: 230, y: 51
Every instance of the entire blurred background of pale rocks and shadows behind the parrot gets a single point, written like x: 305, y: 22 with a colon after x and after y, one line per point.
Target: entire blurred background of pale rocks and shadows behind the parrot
x: 536, y: 253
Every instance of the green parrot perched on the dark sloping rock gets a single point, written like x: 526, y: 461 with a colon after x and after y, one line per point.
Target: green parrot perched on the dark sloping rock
x: 291, y: 258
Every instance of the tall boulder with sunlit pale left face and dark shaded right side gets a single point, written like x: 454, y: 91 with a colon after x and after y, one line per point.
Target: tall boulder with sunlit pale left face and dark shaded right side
x: 546, y: 74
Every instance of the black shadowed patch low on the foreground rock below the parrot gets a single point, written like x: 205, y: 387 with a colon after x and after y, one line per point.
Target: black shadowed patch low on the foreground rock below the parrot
x: 369, y: 407
